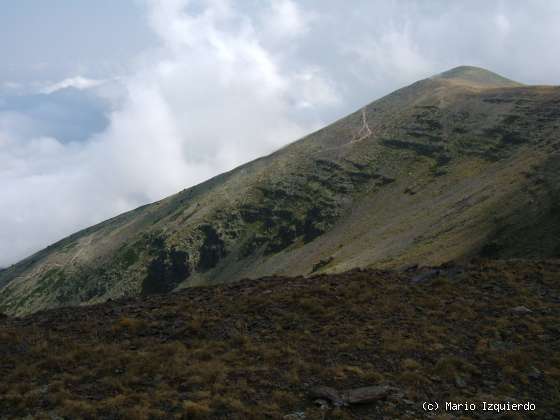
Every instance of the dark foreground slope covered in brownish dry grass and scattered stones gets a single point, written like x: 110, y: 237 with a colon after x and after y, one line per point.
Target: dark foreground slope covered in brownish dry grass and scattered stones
x: 257, y: 349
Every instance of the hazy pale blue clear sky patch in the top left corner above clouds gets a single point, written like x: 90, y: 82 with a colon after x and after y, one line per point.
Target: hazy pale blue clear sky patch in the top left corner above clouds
x: 50, y: 40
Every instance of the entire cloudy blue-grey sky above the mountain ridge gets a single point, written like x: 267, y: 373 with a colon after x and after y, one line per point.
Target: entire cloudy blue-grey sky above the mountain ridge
x: 105, y: 105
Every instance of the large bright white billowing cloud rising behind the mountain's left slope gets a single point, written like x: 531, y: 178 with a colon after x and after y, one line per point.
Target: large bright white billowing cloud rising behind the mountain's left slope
x: 211, y: 97
